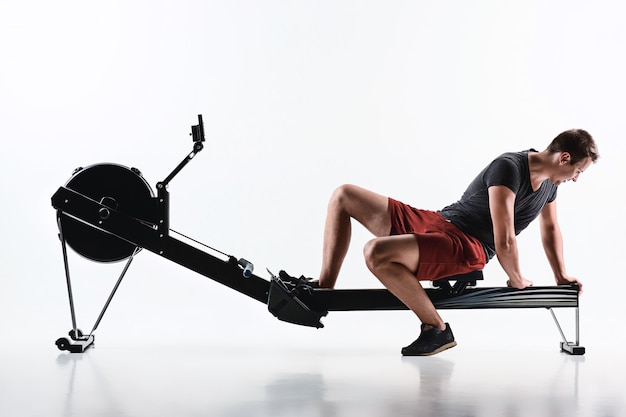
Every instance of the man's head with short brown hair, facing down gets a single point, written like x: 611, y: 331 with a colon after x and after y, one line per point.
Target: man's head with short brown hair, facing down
x: 573, y: 152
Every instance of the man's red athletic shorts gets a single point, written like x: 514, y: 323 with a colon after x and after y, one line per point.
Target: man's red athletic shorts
x: 444, y: 249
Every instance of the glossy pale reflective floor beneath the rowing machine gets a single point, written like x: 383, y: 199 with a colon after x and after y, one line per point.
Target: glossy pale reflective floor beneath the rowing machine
x: 157, y: 381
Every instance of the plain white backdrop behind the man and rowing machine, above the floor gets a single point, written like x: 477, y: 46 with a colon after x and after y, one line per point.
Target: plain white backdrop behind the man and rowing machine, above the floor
x: 408, y: 98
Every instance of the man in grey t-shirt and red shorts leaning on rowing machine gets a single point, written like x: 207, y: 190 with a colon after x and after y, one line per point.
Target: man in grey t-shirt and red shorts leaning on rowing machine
x: 413, y: 245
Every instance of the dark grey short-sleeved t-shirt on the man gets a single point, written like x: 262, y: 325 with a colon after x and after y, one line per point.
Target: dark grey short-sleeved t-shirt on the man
x: 471, y: 213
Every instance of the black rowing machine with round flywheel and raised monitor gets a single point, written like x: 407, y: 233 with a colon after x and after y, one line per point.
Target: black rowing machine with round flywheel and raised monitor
x: 109, y: 213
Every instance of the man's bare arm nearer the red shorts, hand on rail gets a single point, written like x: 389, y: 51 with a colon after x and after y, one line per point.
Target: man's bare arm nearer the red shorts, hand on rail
x: 501, y: 206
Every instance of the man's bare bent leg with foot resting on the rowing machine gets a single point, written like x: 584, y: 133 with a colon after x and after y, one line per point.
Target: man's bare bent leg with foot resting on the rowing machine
x: 347, y: 202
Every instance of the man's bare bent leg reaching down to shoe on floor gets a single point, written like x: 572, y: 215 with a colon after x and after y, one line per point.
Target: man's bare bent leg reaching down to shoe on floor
x: 393, y: 260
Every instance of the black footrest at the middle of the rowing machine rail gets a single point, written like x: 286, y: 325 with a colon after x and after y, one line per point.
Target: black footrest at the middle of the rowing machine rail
x: 284, y: 303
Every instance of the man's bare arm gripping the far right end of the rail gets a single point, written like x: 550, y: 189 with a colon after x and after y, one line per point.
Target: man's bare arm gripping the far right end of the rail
x: 553, y: 244
